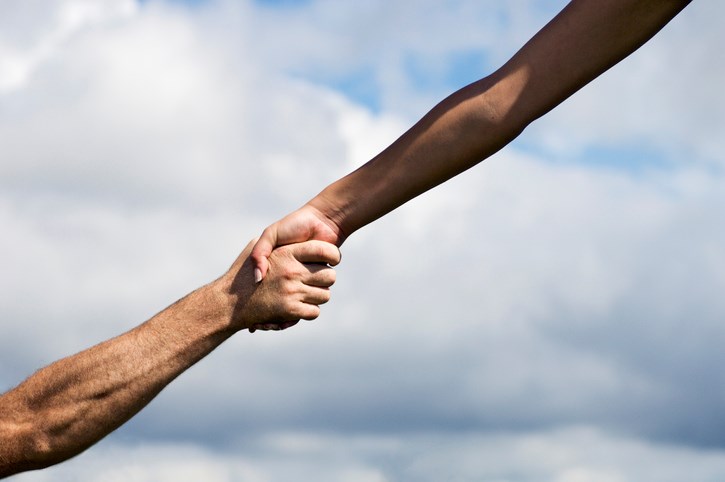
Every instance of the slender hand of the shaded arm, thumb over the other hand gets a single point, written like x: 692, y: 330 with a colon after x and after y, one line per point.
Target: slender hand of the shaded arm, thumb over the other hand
x: 307, y: 223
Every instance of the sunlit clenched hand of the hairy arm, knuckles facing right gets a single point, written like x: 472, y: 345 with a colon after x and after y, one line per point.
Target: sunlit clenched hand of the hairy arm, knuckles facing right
x: 297, y: 282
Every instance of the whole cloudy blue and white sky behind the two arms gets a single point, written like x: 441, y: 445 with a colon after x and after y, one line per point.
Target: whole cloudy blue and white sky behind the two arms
x: 553, y: 314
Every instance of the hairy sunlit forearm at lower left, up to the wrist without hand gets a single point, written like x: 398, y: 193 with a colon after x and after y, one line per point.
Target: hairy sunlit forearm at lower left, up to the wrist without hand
x: 66, y: 407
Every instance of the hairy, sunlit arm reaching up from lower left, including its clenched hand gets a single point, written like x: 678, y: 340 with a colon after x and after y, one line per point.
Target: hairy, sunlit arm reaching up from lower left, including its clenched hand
x: 68, y: 406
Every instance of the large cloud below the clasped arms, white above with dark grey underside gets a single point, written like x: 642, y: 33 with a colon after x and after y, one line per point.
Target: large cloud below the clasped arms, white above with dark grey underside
x: 567, y: 312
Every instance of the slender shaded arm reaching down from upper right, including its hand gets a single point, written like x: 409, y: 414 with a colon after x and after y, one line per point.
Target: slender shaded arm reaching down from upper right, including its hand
x: 580, y: 43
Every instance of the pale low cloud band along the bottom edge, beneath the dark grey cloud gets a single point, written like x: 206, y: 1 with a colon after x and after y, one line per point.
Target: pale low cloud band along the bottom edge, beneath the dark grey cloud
x: 568, y: 455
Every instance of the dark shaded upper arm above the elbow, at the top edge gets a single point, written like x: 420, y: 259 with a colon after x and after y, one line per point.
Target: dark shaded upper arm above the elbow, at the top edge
x: 584, y: 40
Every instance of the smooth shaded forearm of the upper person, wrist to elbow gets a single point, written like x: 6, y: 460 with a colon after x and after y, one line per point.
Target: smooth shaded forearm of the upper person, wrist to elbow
x: 455, y: 135
